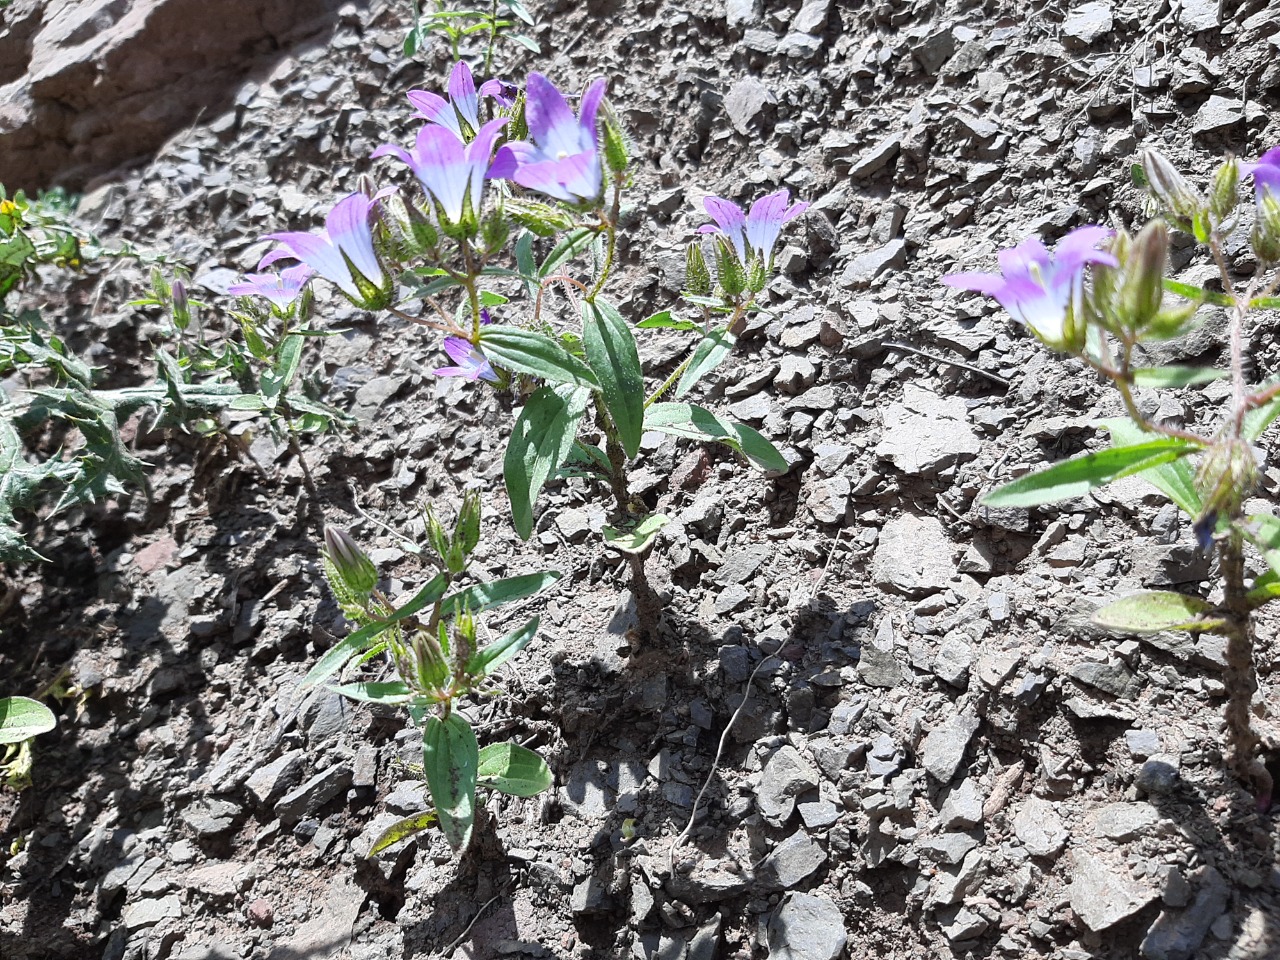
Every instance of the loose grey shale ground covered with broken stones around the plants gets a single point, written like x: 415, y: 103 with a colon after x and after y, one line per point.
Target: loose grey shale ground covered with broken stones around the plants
x: 932, y: 755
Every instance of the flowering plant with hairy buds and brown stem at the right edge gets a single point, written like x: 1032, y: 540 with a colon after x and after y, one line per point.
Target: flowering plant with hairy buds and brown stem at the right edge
x: 1100, y: 296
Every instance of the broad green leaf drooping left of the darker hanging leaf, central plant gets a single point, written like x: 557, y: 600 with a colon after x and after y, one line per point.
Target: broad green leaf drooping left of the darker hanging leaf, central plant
x: 540, y: 444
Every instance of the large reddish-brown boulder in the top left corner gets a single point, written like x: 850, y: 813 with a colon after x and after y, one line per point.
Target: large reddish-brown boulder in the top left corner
x: 90, y: 85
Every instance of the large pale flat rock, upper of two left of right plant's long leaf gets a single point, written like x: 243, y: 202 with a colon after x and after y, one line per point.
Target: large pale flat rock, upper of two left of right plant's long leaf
x: 927, y: 433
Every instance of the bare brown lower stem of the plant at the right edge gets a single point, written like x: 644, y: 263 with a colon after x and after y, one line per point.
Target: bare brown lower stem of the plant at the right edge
x: 1241, y: 678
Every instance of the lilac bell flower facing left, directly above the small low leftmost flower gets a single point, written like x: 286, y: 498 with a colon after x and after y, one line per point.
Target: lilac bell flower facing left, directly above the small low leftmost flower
x: 342, y: 253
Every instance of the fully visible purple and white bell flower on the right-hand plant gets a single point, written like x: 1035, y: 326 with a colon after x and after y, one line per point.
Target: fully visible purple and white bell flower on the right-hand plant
x: 1043, y: 291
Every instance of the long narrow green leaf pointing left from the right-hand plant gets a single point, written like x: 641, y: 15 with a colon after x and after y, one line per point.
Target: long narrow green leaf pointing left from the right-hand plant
x: 1077, y: 477
